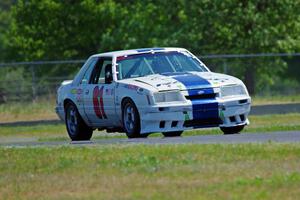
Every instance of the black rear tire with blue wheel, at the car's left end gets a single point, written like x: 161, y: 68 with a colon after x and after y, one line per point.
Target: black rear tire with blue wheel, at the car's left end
x: 76, y: 127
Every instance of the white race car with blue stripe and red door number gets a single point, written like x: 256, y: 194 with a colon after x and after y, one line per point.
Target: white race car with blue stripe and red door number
x: 143, y: 91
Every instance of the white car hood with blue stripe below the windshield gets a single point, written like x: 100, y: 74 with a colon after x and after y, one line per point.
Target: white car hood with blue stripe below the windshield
x: 183, y: 81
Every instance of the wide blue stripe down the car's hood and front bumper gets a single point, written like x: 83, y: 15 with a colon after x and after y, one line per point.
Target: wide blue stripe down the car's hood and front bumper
x: 202, y: 108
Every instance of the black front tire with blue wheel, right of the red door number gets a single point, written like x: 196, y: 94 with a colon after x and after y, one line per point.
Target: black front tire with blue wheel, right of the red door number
x: 131, y: 120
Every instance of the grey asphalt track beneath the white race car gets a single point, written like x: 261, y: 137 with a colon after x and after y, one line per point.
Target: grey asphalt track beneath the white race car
x: 280, y: 137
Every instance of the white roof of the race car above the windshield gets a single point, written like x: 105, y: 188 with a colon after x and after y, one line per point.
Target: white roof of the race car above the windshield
x: 137, y: 51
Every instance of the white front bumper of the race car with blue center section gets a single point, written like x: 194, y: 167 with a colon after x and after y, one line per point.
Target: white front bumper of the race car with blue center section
x: 178, y: 117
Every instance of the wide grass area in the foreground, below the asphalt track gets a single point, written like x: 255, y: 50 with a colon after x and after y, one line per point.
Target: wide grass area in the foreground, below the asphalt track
x: 248, y: 171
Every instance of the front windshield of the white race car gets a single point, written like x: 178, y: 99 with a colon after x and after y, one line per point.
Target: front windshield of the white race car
x: 138, y: 65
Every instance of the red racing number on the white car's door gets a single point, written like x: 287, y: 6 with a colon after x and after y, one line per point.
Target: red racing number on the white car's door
x: 98, y: 102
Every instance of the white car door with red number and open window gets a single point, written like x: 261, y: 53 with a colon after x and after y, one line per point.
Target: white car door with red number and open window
x: 99, y: 95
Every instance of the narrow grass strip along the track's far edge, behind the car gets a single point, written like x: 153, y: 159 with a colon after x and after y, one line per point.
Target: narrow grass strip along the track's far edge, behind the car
x: 267, y: 123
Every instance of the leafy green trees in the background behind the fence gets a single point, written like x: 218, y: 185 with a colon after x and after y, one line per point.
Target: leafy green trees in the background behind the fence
x: 70, y: 29
